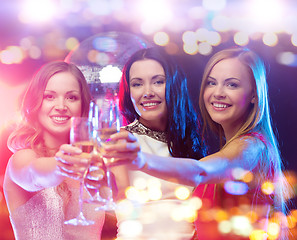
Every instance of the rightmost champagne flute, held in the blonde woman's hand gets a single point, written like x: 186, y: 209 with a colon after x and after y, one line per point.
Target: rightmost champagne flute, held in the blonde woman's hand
x: 109, y: 123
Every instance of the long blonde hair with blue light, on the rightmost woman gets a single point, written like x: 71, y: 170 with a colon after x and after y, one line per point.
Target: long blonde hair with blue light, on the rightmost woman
x: 258, y: 119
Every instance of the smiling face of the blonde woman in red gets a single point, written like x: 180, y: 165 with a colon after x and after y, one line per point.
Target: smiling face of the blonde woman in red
x: 228, y: 94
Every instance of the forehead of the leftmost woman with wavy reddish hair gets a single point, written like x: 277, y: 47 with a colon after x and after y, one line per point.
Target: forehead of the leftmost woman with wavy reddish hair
x: 63, y: 81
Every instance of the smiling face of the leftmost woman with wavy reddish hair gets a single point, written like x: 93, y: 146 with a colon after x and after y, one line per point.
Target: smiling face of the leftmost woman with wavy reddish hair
x: 61, y: 101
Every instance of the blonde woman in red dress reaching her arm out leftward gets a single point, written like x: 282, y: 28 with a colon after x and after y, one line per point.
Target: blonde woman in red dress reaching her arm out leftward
x: 234, y: 104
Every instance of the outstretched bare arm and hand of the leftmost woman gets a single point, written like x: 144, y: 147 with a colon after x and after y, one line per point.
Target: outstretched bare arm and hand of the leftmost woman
x: 33, y: 173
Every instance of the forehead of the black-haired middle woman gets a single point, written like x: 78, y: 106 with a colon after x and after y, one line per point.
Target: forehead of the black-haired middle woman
x: 146, y: 66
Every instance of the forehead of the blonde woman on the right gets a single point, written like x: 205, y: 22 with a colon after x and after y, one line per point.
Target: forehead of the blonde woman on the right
x: 231, y: 67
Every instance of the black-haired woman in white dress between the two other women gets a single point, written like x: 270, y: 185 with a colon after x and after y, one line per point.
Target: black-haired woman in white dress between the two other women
x: 154, y: 100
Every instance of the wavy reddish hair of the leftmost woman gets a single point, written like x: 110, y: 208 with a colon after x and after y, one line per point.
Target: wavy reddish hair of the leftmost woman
x: 28, y: 133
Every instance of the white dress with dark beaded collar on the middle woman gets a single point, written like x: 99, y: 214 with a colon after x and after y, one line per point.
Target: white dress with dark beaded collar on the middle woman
x: 152, y: 216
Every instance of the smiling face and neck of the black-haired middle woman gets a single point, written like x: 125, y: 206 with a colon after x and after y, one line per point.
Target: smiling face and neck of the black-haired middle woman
x: 147, y: 90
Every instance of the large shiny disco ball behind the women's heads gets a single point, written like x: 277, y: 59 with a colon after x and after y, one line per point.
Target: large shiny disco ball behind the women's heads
x: 102, y: 57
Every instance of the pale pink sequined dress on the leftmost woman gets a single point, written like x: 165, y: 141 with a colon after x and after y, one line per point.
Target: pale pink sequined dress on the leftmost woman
x: 42, y: 217
